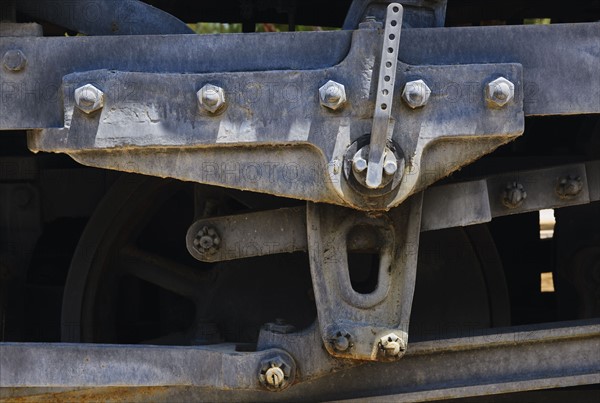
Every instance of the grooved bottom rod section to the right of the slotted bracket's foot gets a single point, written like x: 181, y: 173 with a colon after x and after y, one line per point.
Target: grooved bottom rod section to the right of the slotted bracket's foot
x: 528, y: 359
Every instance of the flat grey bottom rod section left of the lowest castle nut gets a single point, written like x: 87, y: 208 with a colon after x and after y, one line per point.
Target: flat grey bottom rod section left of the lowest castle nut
x: 93, y: 365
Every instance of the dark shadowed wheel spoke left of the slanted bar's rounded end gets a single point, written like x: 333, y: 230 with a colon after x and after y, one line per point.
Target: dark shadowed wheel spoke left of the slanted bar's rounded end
x: 163, y: 272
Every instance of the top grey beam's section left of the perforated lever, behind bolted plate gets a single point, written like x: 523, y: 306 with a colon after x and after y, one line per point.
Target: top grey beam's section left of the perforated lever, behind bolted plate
x: 37, y: 87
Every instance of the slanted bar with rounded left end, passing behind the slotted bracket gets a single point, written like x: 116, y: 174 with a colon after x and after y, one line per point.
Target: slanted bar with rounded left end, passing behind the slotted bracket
x: 444, y: 206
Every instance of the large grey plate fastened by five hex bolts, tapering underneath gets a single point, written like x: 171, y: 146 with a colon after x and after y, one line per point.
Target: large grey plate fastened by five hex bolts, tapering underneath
x: 154, y: 127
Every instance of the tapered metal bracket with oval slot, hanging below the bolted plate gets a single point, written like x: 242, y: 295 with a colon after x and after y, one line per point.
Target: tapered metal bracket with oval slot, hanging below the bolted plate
x: 365, y: 326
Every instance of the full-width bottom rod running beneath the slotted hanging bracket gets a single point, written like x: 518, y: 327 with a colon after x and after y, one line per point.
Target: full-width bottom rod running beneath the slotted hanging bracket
x: 525, y: 358
